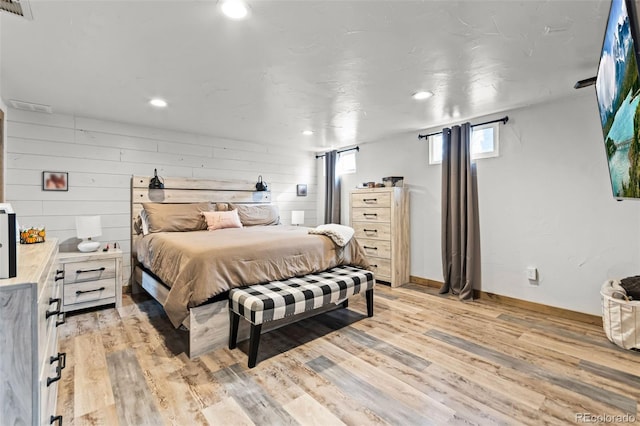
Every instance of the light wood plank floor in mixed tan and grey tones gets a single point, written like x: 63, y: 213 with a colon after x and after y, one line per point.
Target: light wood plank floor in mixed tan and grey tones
x: 422, y: 359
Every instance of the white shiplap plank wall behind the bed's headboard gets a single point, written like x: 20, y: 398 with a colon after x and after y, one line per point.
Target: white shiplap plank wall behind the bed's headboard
x: 101, y: 157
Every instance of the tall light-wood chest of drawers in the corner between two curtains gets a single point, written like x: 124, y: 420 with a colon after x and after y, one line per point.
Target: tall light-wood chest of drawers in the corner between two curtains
x: 380, y: 218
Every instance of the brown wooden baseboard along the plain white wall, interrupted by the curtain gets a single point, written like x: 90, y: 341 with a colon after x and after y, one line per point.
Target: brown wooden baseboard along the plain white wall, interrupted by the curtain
x: 519, y: 303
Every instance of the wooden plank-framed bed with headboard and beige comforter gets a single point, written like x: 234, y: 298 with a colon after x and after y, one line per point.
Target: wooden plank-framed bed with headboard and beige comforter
x: 190, y: 271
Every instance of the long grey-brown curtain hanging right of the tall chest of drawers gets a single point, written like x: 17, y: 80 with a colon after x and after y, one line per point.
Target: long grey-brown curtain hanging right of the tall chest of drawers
x: 460, y: 242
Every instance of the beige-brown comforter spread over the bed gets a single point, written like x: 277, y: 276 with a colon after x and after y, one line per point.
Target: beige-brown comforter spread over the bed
x: 201, y: 264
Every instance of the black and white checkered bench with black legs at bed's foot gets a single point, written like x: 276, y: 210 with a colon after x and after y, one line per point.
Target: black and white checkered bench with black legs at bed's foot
x: 275, y: 300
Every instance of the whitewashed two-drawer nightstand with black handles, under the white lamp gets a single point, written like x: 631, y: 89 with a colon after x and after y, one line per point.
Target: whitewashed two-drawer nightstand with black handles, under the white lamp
x: 91, y: 279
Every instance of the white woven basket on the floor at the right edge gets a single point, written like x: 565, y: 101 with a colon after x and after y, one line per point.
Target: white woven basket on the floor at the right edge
x: 620, y: 316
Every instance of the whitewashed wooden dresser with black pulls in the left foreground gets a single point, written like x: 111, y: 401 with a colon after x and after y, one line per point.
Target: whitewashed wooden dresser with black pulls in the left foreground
x: 30, y: 312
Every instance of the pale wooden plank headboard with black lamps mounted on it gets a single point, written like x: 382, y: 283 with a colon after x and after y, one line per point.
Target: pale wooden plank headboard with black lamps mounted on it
x: 189, y: 190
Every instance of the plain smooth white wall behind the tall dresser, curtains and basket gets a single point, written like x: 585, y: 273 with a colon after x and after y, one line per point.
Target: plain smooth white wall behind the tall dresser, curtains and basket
x: 545, y: 202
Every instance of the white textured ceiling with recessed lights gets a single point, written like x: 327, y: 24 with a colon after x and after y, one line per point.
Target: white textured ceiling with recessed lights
x: 345, y: 69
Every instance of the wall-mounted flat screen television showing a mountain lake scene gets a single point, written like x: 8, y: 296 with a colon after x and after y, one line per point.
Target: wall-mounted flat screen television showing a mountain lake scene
x: 618, y: 95
